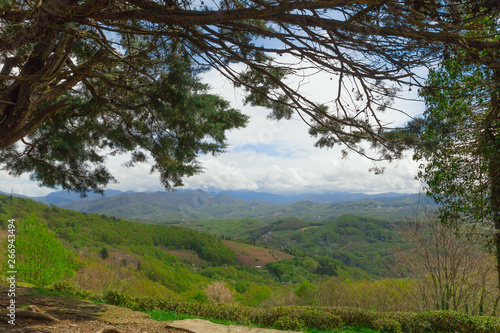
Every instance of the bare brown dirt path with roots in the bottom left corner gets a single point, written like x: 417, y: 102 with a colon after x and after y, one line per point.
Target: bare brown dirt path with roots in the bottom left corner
x: 61, y: 314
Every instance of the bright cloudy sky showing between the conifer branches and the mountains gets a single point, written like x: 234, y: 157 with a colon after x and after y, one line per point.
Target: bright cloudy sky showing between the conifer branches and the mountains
x: 269, y: 156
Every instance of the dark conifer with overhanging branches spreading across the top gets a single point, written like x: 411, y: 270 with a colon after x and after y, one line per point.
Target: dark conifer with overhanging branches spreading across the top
x: 82, y: 79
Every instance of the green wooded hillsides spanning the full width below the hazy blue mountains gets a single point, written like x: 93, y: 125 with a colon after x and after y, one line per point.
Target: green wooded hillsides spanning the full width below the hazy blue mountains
x: 345, y: 262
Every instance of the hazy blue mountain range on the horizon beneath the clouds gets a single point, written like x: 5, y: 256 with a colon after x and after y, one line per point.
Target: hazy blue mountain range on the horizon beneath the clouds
x: 198, y: 205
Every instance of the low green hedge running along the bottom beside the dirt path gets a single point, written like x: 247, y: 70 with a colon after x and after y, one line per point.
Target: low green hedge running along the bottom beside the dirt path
x: 297, y: 318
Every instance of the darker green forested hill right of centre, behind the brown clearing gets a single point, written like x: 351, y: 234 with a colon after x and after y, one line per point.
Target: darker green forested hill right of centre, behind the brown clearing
x: 361, y: 242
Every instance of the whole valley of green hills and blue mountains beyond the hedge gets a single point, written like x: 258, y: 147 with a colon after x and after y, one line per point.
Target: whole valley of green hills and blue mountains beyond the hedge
x: 201, y: 248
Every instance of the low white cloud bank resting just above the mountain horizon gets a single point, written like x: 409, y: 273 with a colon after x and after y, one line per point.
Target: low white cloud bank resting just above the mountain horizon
x: 314, y: 171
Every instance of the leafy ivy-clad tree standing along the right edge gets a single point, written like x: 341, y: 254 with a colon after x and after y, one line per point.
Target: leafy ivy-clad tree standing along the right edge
x: 459, y: 141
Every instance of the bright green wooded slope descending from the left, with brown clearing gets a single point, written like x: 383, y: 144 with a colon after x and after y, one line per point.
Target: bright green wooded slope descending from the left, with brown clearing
x: 169, y: 261
